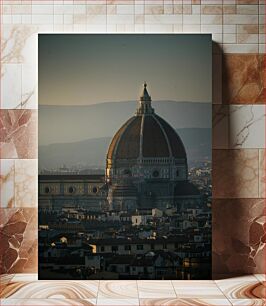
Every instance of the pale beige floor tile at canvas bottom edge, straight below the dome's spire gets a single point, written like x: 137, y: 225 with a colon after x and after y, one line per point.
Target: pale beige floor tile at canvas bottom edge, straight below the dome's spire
x: 156, y: 289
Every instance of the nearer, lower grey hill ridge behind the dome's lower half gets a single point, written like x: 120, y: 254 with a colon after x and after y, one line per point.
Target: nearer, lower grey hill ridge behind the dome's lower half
x: 92, y: 152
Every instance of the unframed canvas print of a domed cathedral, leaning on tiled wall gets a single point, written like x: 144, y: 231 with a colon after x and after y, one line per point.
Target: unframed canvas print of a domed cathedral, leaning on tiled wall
x: 125, y: 156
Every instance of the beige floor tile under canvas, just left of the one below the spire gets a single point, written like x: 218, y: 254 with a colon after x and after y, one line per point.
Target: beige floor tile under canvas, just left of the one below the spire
x: 118, y: 290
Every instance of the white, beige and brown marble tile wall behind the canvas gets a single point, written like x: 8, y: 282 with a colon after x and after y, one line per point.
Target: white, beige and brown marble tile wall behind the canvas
x: 238, y: 29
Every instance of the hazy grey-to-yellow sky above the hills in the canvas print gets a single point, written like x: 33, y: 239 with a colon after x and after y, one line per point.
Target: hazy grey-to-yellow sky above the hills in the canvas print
x: 84, y: 69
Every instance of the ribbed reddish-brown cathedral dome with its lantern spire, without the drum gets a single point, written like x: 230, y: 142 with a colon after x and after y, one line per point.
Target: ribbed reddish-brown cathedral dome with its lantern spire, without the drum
x: 146, y: 135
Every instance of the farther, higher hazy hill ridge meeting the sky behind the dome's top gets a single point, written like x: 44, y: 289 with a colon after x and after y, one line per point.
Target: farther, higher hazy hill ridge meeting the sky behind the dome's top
x: 66, y: 124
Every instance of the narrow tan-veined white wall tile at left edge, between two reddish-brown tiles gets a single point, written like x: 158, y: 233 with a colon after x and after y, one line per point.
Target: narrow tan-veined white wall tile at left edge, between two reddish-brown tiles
x: 7, y: 182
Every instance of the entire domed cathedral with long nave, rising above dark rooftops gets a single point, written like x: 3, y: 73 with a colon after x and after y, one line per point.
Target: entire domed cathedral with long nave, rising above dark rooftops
x: 146, y: 167
